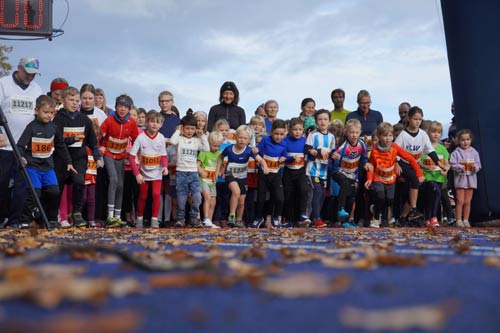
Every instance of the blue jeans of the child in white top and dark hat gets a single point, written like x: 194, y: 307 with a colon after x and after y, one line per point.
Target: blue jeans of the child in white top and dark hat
x: 188, y: 182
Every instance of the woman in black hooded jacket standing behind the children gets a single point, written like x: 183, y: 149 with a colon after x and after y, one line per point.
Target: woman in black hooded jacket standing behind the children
x: 228, y: 108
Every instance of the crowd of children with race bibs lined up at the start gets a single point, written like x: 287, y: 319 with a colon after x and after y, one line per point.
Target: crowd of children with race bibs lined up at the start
x: 265, y: 174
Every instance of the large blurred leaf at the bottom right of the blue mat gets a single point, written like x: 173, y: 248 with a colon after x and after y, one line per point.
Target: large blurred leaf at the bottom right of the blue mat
x: 425, y: 317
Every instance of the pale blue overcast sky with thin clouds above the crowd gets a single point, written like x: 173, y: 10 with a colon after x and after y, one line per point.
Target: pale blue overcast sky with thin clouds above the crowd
x: 272, y: 49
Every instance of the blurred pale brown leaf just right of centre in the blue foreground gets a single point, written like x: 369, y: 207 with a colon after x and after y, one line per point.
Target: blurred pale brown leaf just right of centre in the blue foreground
x: 305, y: 285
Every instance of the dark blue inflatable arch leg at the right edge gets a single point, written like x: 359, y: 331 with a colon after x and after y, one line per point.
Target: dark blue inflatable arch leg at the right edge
x: 473, y: 41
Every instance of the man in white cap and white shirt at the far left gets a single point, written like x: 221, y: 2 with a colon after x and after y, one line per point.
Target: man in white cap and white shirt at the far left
x: 18, y: 94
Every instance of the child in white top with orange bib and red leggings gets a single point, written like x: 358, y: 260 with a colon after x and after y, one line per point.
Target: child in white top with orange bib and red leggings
x: 151, y: 151
